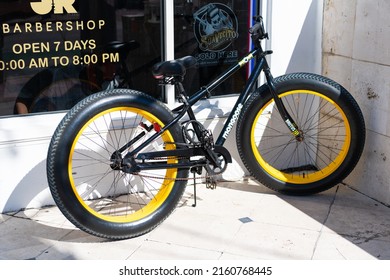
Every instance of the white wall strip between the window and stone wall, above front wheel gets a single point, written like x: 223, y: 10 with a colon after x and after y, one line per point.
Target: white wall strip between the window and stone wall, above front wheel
x: 295, y: 36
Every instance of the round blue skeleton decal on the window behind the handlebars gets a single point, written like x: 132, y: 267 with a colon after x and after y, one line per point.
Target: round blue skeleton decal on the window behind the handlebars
x: 215, y: 27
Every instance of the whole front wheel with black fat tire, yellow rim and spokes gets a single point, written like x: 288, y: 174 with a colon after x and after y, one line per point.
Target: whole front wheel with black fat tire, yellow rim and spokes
x: 327, y: 116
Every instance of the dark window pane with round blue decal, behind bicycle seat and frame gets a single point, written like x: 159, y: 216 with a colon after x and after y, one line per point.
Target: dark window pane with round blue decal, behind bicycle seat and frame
x: 216, y: 33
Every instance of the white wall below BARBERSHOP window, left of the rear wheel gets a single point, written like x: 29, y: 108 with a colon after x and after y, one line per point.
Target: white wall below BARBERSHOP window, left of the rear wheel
x: 23, y: 148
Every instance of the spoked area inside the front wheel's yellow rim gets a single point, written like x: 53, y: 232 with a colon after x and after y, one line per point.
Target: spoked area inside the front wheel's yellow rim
x: 323, y: 133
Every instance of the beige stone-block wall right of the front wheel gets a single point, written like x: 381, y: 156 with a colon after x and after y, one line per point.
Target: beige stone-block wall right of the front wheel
x: 356, y: 53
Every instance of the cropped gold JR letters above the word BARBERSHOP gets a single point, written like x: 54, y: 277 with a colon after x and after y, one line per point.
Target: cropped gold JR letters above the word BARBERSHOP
x: 44, y: 7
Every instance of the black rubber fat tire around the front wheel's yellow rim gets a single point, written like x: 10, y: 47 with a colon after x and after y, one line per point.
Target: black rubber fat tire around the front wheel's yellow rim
x: 310, y: 82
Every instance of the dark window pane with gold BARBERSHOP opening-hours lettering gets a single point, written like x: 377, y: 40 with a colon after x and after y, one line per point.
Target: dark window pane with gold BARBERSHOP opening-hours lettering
x: 53, y: 53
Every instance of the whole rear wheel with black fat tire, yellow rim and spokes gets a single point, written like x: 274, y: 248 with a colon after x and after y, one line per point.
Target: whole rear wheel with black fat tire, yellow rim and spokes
x: 96, y: 197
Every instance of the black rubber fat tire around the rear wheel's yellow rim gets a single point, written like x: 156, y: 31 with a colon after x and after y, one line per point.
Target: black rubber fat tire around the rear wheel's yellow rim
x: 57, y: 164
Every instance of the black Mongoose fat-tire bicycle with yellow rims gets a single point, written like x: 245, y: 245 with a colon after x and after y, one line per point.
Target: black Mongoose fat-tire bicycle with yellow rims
x: 119, y: 161
